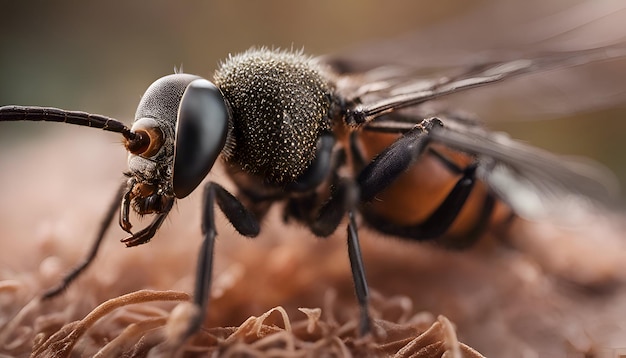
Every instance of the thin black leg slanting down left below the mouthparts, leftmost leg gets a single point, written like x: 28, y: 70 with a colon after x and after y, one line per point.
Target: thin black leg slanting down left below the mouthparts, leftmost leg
x: 76, y: 271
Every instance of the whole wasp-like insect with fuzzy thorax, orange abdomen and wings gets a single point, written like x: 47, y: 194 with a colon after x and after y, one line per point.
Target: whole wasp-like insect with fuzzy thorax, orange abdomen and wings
x: 292, y: 130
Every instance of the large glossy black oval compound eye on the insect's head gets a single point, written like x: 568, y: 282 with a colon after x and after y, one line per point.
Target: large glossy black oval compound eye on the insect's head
x: 201, y: 130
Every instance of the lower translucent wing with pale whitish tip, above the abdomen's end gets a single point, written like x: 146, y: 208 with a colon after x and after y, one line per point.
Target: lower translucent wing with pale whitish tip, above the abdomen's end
x: 532, y: 181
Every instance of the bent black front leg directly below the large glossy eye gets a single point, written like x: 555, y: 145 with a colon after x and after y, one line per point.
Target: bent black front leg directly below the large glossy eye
x: 243, y: 221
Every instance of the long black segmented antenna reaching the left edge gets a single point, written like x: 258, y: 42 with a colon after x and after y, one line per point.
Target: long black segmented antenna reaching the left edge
x: 49, y: 114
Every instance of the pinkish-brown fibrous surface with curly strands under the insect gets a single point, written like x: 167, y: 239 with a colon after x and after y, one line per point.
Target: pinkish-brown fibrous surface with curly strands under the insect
x: 548, y: 291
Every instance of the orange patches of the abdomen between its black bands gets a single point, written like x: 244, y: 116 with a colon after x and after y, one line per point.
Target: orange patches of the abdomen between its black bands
x: 416, y: 194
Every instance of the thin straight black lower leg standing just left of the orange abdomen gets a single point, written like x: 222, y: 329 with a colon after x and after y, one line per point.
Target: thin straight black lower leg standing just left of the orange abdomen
x: 358, y: 275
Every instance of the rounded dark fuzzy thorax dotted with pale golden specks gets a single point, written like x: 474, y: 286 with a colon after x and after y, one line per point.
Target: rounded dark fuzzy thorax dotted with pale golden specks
x: 280, y: 102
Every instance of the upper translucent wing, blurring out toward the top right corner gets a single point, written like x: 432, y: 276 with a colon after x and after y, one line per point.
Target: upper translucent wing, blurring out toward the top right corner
x: 569, y: 51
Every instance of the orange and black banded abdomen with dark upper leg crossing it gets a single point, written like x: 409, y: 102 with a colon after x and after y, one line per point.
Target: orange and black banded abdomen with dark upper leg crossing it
x: 435, y: 194
